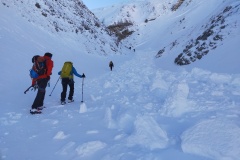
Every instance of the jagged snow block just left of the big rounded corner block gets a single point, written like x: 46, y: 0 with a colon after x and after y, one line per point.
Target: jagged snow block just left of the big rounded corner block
x: 148, y: 134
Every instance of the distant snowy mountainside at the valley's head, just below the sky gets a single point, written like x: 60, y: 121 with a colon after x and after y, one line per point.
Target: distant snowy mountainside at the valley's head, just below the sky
x: 135, y: 11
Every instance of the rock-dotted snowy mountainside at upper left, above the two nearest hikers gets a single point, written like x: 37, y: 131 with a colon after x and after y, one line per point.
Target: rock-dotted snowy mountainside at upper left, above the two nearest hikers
x: 70, y: 20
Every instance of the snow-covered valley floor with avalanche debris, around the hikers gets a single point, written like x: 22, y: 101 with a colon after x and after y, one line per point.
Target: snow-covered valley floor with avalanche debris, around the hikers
x: 142, y: 110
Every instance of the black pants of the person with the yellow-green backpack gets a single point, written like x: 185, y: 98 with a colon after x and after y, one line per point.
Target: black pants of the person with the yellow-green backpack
x: 65, y: 83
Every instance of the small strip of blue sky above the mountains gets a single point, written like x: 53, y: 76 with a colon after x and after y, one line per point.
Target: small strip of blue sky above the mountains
x: 91, y: 4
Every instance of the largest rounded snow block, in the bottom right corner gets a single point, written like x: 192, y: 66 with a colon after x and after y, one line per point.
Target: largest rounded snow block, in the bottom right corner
x: 217, y: 139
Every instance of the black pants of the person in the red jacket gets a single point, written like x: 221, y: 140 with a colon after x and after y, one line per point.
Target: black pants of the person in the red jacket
x: 39, y: 99
